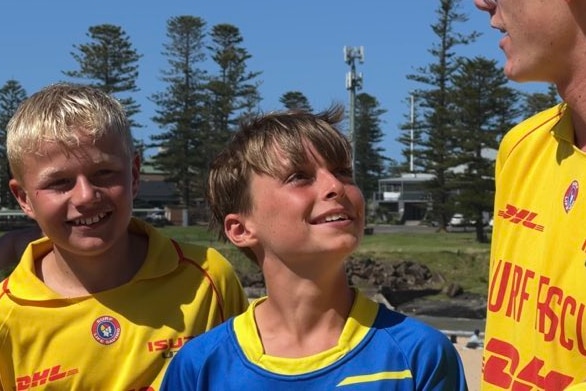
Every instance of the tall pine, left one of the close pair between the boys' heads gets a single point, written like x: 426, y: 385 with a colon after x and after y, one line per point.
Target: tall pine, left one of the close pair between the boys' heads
x: 180, y: 107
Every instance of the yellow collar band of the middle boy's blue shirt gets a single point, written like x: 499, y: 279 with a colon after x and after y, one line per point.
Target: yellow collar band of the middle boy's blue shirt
x: 362, y: 316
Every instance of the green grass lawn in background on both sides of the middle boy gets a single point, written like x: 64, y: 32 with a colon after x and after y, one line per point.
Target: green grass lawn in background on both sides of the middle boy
x: 457, y: 256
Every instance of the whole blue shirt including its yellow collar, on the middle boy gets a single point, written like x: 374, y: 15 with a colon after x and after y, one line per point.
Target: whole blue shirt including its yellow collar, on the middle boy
x: 378, y: 349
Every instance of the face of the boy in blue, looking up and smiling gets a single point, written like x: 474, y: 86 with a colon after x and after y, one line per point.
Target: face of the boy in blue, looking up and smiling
x: 311, y: 212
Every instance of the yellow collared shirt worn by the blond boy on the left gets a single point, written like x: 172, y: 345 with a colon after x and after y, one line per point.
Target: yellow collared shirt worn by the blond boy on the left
x: 120, y: 339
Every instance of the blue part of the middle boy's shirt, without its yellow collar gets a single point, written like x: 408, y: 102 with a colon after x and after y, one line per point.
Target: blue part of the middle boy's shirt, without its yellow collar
x: 397, y: 353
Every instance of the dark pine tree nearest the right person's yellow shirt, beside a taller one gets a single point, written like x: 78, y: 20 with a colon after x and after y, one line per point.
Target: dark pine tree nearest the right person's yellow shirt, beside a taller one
x: 485, y: 108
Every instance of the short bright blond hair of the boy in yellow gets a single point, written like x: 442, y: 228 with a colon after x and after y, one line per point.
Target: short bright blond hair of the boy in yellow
x: 63, y: 113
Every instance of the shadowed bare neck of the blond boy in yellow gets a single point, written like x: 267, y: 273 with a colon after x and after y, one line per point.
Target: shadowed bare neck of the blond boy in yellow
x: 73, y: 276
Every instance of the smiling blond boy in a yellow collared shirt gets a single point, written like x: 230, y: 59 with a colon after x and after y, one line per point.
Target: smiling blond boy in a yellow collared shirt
x: 104, y: 300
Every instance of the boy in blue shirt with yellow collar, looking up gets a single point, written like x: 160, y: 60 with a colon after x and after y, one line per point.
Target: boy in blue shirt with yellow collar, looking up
x: 282, y: 192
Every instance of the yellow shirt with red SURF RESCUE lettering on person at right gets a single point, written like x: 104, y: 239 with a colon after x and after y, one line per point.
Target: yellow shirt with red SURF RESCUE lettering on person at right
x: 536, y: 319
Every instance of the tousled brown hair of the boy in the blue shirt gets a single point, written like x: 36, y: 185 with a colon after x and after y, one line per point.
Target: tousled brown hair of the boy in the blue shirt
x: 258, y: 146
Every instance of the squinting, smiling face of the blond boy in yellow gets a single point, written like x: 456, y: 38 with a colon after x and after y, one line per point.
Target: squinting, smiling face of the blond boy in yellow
x: 81, y: 200
